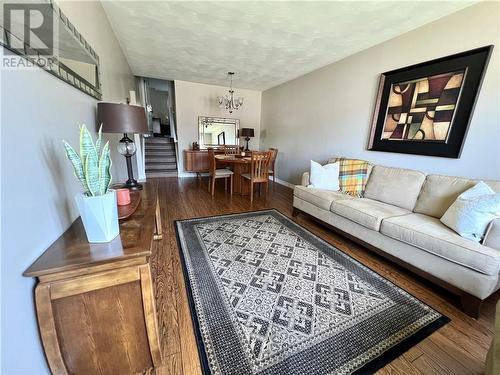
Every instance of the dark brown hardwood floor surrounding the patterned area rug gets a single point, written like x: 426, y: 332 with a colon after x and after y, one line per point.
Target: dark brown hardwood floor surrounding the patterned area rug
x: 458, y: 348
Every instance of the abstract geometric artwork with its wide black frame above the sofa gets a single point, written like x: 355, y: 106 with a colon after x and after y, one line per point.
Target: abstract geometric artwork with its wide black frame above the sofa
x: 426, y: 109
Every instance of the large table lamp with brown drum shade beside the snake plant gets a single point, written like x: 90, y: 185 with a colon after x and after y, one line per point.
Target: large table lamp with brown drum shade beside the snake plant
x: 123, y: 118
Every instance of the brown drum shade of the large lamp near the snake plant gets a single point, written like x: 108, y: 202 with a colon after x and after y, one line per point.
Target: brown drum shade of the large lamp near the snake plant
x: 121, y: 118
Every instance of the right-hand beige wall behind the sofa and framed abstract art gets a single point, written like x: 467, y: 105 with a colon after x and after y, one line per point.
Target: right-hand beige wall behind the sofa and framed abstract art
x: 329, y: 111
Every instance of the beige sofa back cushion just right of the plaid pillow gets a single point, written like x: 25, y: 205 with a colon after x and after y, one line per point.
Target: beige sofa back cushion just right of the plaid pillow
x: 396, y: 186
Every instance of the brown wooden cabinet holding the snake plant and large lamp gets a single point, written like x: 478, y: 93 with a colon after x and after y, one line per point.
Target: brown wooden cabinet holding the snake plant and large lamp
x: 95, y: 302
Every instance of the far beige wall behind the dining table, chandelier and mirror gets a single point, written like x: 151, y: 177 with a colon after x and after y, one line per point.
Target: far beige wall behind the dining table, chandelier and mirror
x: 197, y: 99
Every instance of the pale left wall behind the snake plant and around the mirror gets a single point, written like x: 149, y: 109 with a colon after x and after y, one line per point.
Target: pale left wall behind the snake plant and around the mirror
x: 37, y: 183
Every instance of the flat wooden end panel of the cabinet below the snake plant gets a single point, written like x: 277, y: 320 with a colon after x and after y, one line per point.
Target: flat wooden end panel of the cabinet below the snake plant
x: 99, y: 324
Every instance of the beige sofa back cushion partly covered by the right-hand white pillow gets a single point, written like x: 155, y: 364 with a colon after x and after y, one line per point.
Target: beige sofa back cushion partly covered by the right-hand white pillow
x: 439, y: 193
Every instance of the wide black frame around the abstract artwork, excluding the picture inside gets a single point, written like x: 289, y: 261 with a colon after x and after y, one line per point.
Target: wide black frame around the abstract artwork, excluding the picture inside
x: 473, y: 63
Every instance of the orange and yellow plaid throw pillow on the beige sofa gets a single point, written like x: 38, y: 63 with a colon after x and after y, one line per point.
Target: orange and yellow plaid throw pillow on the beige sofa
x: 353, y: 176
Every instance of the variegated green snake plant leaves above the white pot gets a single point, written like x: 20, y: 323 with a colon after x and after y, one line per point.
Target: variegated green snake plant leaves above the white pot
x: 93, y: 166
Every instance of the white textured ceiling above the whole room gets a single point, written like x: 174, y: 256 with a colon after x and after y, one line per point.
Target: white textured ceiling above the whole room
x: 265, y: 43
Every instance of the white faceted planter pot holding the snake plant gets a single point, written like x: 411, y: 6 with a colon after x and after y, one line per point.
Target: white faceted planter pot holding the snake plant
x: 99, y: 215
